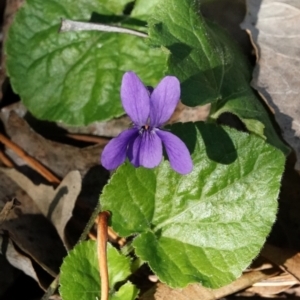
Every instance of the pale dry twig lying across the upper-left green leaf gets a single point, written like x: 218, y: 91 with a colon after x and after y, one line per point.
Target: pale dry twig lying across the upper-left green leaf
x: 69, y: 25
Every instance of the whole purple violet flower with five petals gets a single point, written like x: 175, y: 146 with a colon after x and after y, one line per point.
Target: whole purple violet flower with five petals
x: 148, y: 111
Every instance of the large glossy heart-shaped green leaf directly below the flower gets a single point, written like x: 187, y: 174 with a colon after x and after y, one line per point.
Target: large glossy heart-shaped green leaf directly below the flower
x: 206, y: 226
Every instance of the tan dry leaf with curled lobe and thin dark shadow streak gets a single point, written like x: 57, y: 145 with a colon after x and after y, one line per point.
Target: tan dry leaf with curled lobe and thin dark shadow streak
x: 55, y: 204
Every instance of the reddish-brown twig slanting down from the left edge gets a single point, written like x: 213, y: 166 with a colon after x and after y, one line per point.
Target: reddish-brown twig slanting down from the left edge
x: 31, y: 161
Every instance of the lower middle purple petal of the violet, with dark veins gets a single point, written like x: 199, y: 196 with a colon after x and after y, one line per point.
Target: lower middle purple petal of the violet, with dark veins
x: 147, y: 150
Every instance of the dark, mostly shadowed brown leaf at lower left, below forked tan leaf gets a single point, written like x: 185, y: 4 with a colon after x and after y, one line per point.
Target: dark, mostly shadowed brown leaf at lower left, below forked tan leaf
x: 34, y: 234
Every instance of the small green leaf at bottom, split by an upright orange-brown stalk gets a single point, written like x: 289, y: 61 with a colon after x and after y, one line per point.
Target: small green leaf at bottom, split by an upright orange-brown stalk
x: 79, y: 277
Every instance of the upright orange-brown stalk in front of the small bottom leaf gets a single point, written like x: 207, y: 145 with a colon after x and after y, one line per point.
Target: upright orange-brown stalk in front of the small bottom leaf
x: 102, y: 253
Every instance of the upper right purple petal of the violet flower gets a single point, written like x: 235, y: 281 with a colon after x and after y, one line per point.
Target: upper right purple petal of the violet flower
x: 163, y: 100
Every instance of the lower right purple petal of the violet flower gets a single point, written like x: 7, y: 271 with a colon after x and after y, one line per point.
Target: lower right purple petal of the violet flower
x: 178, y: 153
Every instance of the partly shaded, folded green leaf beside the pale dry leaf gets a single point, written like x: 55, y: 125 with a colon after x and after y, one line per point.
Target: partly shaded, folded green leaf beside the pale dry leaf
x: 209, y: 65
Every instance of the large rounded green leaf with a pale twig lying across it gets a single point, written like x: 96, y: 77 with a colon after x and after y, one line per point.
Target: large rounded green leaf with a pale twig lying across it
x: 75, y: 77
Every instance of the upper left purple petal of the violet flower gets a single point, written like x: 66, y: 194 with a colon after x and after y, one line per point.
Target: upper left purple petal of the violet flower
x: 135, y: 98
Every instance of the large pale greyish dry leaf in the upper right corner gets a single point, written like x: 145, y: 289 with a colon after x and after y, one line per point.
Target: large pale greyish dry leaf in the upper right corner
x: 274, y: 29
